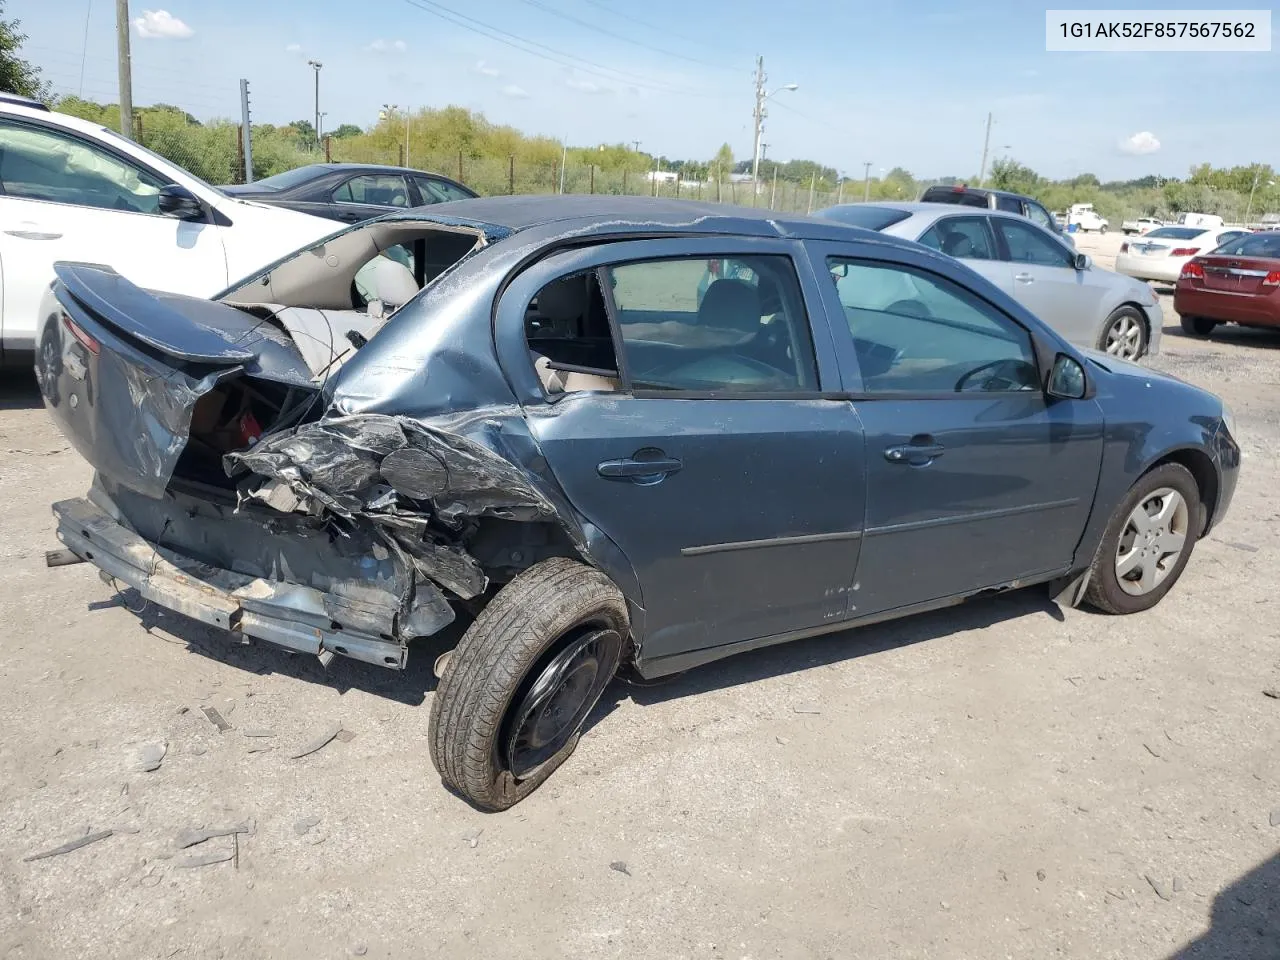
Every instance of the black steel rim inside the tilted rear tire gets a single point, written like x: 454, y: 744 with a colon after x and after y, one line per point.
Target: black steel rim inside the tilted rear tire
x: 560, y: 700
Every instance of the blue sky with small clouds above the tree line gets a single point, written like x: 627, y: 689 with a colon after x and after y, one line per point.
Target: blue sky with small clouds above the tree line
x: 895, y: 84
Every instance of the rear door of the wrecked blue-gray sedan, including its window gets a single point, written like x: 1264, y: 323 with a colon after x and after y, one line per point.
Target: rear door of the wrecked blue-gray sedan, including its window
x: 720, y: 458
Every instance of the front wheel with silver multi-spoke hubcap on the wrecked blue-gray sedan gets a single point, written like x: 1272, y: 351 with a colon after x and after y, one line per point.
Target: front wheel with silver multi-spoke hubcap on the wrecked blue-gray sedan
x: 1148, y: 542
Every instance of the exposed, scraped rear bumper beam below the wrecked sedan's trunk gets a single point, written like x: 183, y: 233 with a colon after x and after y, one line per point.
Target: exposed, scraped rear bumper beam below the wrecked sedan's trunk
x: 290, y: 615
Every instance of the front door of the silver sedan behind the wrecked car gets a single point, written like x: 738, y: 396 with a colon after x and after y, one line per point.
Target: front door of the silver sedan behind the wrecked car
x: 1048, y: 284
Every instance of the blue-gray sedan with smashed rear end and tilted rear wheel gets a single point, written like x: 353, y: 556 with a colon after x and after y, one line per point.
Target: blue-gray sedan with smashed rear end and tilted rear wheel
x: 556, y: 419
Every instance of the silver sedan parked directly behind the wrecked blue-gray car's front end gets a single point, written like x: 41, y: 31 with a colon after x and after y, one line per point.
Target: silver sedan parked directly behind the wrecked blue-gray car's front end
x: 1090, y: 307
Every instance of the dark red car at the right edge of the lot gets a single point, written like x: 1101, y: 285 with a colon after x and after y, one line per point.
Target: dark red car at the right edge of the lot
x: 1238, y: 284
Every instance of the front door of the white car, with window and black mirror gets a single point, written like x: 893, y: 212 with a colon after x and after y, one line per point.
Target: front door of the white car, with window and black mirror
x: 68, y: 198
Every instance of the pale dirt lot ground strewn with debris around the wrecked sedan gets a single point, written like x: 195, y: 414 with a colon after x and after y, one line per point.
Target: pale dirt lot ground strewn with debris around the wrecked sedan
x: 1000, y: 780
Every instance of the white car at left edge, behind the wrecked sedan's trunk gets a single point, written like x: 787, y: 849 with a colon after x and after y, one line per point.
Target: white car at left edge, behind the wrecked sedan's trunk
x: 74, y: 190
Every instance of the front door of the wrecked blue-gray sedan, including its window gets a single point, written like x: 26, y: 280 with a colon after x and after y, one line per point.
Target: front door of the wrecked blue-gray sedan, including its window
x: 975, y: 479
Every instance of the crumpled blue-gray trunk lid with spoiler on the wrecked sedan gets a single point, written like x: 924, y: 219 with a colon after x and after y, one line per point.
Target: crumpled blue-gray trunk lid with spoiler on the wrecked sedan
x: 126, y: 373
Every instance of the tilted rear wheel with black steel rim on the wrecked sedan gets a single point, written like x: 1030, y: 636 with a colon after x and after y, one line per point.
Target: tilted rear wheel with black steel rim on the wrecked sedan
x: 519, y: 688
